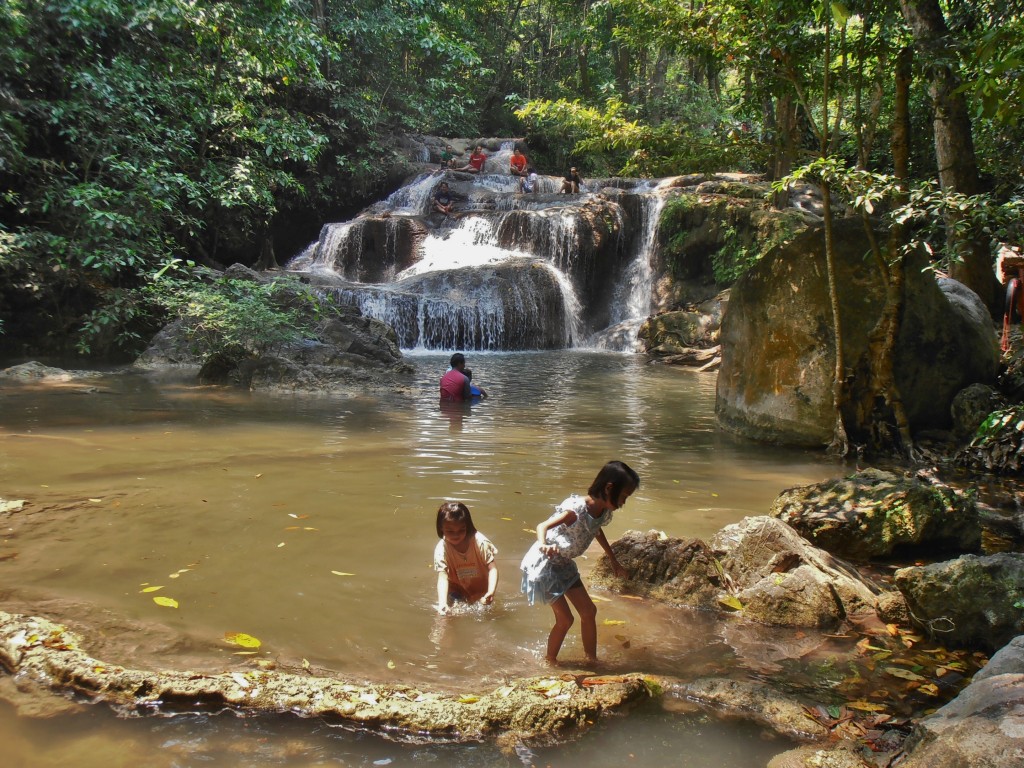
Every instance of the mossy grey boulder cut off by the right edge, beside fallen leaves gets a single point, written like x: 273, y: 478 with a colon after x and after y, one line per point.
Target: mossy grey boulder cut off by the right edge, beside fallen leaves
x: 974, y: 602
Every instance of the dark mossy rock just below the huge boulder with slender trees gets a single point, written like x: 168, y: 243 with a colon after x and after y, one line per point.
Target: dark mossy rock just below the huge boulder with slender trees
x: 873, y: 514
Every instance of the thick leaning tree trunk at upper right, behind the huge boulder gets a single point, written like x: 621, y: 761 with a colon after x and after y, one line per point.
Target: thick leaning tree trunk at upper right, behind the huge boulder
x: 954, y: 143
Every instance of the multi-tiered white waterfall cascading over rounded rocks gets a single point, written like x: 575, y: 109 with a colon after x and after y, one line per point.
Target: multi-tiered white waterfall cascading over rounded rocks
x: 509, y: 271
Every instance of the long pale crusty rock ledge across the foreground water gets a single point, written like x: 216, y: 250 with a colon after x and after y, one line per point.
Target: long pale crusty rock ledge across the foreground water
x: 42, y: 656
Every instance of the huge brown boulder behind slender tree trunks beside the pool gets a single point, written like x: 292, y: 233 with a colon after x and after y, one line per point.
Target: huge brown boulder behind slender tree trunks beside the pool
x: 776, y: 383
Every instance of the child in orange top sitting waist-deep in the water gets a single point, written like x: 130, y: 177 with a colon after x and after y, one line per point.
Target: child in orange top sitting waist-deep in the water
x: 464, y: 560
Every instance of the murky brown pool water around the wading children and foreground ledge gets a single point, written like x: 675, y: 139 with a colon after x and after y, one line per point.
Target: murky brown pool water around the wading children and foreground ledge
x: 245, y: 508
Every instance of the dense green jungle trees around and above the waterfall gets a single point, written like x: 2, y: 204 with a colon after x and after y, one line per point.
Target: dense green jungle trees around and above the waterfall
x: 146, y: 138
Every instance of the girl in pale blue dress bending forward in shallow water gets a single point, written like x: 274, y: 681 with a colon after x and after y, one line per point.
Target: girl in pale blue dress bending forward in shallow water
x: 548, y: 570
